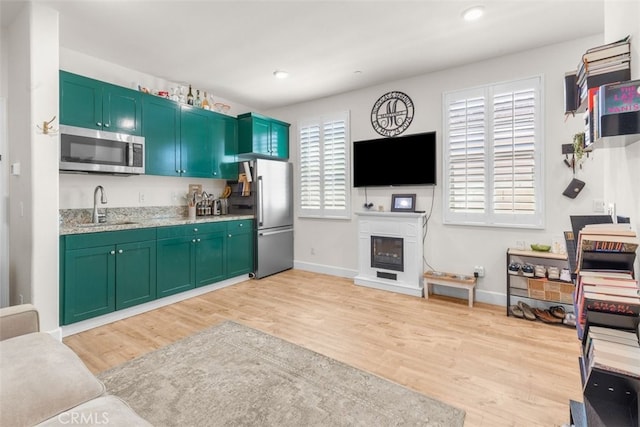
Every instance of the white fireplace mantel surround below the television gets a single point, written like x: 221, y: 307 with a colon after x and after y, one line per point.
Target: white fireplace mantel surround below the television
x: 405, y: 225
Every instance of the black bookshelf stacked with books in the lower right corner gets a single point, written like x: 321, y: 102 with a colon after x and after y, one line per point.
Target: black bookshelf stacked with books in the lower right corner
x: 609, y: 337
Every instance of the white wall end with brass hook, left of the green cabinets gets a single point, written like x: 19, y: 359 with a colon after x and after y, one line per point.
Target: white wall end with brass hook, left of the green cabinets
x: 32, y: 99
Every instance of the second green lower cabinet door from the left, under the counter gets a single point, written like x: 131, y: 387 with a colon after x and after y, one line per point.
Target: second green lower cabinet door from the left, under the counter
x: 135, y: 273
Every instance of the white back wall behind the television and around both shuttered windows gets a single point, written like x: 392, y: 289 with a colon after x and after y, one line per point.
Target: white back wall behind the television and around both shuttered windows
x: 457, y: 248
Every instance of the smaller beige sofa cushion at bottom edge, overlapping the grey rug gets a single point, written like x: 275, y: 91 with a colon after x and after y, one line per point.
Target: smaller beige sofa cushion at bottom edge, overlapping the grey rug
x: 105, y: 410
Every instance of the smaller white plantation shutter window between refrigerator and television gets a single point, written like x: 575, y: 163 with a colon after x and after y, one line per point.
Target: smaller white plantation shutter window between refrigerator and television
x: 324, y: 167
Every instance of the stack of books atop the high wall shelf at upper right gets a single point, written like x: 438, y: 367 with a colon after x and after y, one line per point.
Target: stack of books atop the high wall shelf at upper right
x: 604, y: 64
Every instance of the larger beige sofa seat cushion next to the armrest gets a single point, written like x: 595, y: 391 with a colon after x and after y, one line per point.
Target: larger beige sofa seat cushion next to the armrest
x: 39, y: 378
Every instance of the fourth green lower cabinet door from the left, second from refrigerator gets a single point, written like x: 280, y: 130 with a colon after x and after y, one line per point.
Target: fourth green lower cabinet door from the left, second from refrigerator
x: 210, y: 262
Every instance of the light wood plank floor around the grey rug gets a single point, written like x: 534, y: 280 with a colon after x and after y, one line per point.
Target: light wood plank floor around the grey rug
x: 501, y: 370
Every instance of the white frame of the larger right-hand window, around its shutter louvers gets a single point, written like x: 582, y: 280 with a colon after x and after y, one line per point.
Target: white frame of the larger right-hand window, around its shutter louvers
x: 489, y: 218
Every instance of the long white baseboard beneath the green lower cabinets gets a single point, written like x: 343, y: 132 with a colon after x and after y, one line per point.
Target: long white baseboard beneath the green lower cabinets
x: 151, y: 305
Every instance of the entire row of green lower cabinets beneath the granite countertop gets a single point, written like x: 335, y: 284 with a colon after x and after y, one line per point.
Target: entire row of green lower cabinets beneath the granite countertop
x: 104, y: 272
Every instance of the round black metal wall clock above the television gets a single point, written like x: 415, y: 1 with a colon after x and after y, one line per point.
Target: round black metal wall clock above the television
x: 392, y: 113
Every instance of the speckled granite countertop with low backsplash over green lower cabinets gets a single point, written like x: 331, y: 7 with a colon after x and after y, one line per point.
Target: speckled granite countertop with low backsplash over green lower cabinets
x: 76, y: 222
